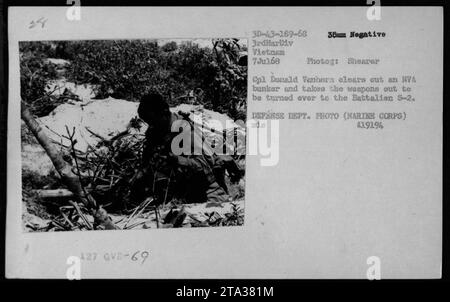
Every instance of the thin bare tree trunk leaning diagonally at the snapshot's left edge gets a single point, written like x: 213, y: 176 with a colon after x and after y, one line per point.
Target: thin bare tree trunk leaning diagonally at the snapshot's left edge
x: 65, y: 171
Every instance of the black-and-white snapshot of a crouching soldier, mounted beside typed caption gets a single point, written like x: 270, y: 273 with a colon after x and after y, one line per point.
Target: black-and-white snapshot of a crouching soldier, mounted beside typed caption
x: 133, y: 134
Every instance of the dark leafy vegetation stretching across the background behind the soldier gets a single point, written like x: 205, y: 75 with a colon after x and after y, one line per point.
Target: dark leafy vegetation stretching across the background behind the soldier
x: 214, y: 76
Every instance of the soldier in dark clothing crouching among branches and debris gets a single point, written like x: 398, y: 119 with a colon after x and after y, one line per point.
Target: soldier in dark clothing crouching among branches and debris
x: 195, y: 177
